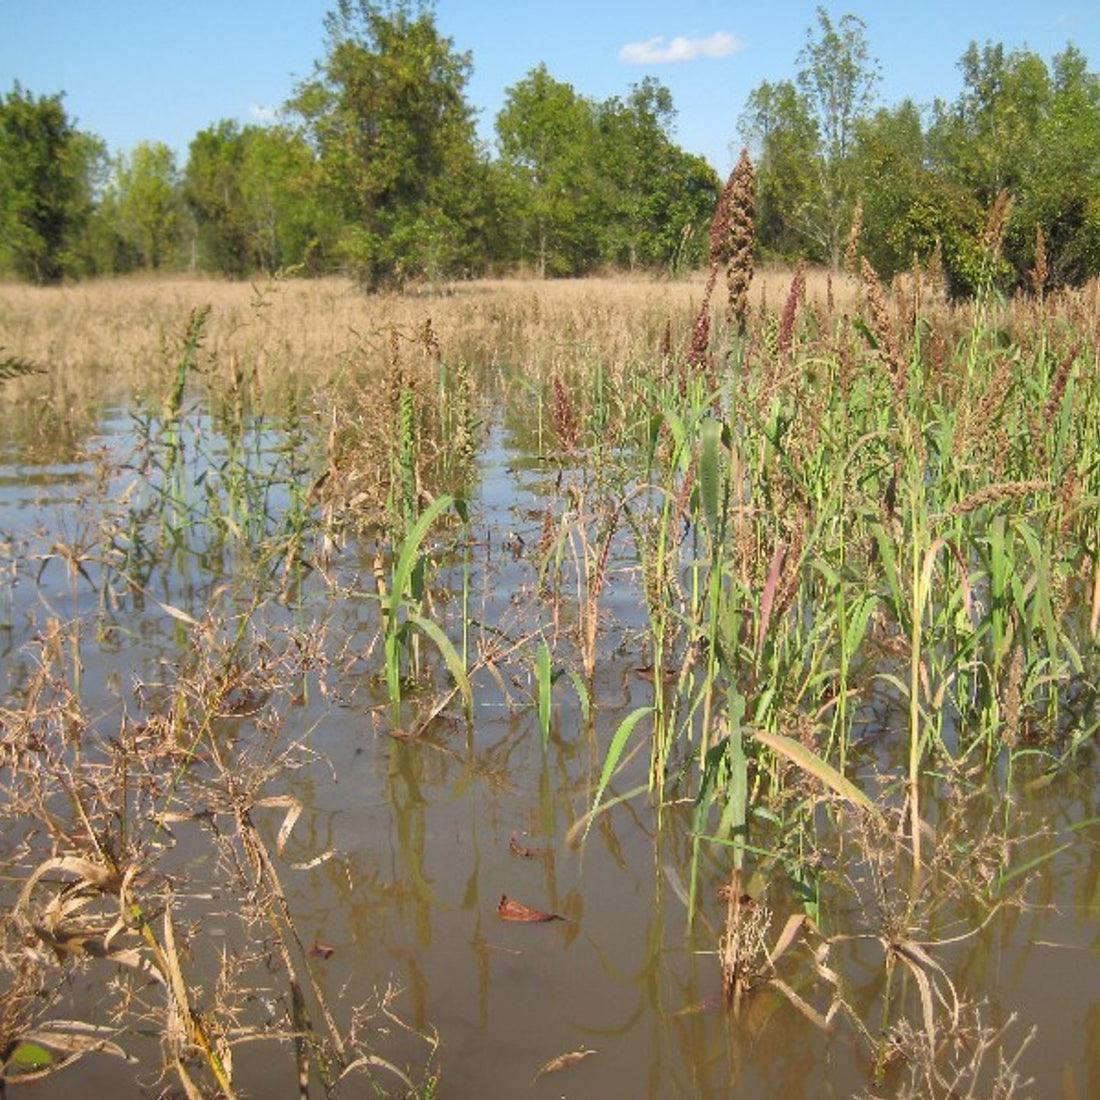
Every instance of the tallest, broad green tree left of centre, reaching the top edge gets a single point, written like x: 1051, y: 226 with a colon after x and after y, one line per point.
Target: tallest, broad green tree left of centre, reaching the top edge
x: 394, y: 135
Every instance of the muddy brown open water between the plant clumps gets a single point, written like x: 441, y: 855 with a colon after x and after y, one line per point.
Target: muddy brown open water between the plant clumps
x: 428, y: 834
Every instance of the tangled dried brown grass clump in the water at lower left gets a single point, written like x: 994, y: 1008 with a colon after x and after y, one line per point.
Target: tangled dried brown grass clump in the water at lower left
x: 94, y: 898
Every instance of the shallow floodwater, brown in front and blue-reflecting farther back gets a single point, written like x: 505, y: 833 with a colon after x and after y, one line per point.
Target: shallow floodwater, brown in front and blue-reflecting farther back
x: 427, y: 823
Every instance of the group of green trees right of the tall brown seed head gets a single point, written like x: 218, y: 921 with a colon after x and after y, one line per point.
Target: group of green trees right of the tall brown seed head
x: 1024, y: 136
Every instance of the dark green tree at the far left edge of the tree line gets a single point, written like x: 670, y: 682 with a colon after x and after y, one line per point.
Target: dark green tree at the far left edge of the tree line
x: 47, y: 173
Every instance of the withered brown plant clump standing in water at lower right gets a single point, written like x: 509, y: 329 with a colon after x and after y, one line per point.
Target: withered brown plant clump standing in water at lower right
x: 930, y: 1040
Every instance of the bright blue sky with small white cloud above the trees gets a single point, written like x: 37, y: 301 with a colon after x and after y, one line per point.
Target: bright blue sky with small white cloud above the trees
x: 164, y: 70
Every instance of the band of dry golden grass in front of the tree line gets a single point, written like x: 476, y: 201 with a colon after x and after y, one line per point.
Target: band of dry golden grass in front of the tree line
x: 124, y: 329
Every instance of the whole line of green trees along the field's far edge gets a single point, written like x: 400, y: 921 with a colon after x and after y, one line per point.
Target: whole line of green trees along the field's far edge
x: 376, y: 170
